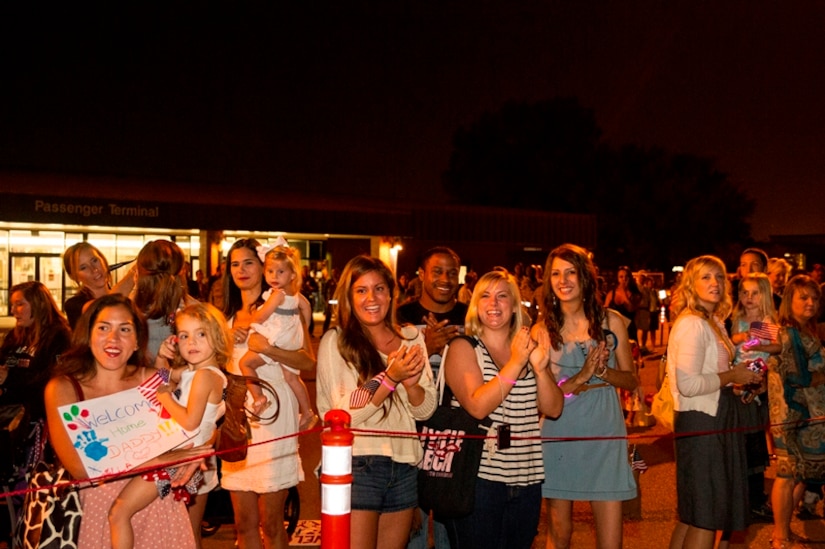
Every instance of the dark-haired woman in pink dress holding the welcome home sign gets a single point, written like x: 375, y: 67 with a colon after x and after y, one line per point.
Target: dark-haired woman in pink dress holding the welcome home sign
x: 107, y: 357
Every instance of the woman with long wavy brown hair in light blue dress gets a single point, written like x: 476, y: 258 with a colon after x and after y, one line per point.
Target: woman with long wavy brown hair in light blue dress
x: 590, y: 358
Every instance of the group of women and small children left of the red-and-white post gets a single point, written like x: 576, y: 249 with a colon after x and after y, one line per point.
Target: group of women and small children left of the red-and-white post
x: 114, y: 337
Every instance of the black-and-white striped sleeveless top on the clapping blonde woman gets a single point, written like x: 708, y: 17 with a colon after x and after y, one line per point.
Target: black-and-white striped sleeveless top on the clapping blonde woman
x: 521, y: 464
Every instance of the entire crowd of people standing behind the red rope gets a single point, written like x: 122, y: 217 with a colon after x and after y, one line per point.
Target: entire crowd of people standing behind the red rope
x: 541, y: 351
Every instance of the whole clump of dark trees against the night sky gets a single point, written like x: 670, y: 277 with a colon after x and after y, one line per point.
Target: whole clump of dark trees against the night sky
x: 654, y: 209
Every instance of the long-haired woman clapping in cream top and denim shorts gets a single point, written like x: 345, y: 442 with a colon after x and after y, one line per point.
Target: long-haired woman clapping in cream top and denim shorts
x: 378, y: 373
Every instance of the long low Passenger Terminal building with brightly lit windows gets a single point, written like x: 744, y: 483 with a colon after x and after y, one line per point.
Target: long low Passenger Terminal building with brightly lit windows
x: 42, y: 214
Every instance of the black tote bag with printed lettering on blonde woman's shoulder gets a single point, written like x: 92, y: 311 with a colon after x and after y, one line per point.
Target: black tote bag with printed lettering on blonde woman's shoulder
x: 449, y: 469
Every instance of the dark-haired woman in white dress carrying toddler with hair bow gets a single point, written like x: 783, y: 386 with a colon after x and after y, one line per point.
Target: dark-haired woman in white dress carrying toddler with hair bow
x: 259, y: 483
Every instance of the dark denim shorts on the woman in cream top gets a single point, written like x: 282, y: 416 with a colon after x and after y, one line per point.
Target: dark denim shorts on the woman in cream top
x: 382, y: 485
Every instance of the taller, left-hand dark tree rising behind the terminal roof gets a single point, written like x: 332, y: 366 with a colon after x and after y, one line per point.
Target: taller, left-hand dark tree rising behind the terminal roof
x: 526, y: 156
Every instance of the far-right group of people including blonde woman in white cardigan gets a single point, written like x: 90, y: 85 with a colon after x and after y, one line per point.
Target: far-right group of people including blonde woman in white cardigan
x: 734, y: 379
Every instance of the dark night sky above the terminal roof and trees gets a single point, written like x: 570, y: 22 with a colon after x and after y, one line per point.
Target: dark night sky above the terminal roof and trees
x: 365, y: 100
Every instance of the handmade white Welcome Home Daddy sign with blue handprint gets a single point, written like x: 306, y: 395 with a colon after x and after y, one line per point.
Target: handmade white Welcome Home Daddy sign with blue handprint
x: 118, y: 432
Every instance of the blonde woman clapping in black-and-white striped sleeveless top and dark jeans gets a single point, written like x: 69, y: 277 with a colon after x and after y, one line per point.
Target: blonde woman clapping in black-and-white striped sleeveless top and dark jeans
x: 509, y: 381
